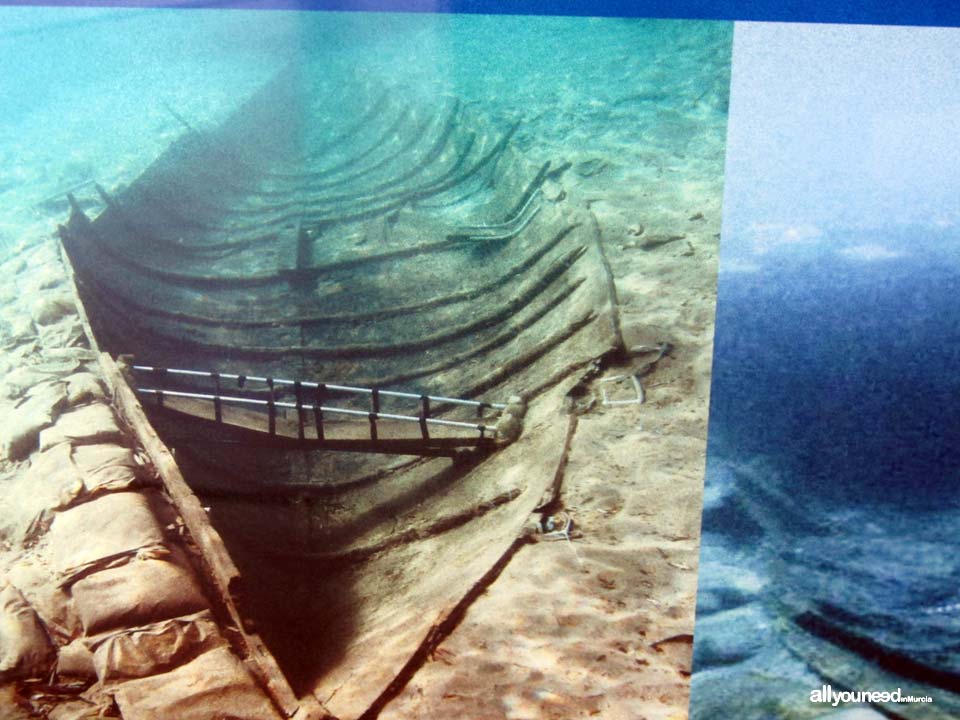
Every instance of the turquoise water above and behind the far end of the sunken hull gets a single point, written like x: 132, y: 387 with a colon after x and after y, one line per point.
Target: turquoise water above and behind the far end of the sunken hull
x: 85, y: 92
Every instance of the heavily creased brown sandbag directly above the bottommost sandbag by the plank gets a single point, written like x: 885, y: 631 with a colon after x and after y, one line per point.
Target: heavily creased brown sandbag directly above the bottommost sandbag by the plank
x: 155, y: 648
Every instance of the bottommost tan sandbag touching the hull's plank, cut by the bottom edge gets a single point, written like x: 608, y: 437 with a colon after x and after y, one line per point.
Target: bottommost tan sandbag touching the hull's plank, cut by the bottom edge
x: 213, y: 686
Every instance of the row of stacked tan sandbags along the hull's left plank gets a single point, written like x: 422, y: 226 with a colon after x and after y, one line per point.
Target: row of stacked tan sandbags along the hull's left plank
x: 102, y: 593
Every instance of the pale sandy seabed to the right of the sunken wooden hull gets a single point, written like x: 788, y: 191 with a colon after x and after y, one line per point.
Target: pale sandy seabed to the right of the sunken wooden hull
x: 602, y: 625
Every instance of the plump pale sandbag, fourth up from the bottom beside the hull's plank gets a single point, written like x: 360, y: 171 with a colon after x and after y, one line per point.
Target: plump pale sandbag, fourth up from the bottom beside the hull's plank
x: 98, y: 533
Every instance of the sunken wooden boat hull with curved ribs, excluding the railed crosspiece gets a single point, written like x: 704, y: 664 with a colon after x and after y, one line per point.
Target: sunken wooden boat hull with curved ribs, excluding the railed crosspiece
x: 332, y: 233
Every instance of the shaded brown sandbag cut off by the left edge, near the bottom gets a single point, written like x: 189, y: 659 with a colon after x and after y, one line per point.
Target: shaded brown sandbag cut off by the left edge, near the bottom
x: 25, y: 649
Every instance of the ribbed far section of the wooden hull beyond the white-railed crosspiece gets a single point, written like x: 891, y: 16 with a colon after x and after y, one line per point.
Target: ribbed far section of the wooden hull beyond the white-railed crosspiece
x: 383, y: 245
